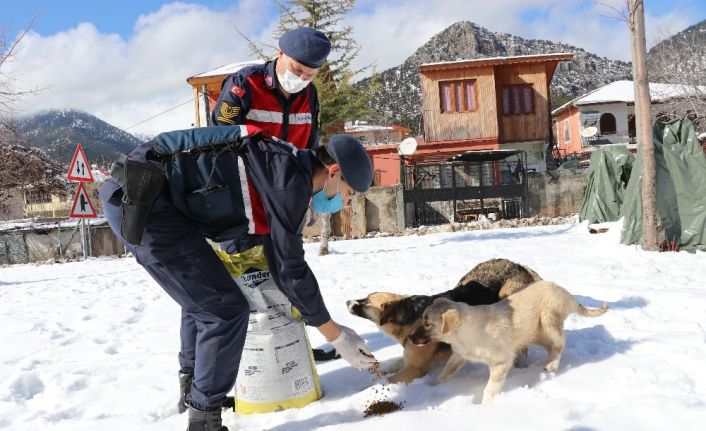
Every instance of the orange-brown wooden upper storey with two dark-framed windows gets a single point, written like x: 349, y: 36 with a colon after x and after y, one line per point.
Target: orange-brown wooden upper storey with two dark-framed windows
x: 496, y: 103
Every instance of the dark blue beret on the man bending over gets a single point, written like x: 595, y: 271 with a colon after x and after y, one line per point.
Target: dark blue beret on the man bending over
x: 349, y: 153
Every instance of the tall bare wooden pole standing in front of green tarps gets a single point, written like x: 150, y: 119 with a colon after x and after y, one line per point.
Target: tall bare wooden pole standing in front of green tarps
x: 643, y: 120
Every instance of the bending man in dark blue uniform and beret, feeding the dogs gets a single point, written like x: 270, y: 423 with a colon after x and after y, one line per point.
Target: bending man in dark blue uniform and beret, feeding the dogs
x: 170, y: 194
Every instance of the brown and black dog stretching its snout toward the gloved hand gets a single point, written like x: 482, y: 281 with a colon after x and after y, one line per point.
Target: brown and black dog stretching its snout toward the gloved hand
x: 398, y: 315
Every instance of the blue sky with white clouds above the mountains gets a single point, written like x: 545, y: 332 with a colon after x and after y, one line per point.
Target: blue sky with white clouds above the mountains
x: 128, y: 60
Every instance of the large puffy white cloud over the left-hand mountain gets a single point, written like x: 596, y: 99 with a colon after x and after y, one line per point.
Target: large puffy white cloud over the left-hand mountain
x: 127, y: 81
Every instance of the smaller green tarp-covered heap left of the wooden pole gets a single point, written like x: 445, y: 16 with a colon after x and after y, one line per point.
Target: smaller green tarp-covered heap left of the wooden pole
x: 607, y: 178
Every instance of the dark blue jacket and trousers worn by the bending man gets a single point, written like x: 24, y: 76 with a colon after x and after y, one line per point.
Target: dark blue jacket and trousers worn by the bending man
x: 203, y: 197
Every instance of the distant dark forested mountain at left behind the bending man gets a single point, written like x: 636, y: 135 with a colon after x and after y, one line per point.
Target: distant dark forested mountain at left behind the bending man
x: 57, y: 132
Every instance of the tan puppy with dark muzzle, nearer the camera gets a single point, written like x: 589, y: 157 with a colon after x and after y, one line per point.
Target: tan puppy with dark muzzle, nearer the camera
x: 493, y: 334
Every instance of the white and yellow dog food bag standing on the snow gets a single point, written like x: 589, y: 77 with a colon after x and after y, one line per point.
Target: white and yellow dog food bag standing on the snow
x: 277, y: 369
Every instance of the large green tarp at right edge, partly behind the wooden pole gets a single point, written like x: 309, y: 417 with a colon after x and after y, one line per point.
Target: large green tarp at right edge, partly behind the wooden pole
x: 680, y: 167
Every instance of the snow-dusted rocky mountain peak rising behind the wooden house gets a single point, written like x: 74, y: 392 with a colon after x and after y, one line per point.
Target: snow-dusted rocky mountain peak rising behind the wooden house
x: 399, y: 97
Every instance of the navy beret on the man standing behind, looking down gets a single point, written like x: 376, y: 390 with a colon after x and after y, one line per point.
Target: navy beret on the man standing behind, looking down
x: 308, y: 46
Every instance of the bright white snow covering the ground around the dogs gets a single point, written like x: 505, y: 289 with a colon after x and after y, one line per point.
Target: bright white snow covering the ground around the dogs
x: 93, y: 345
